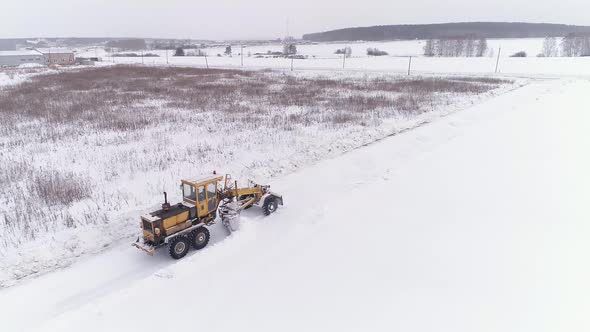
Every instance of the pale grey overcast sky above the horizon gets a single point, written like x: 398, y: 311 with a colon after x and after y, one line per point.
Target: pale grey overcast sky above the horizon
x: 225, y: 19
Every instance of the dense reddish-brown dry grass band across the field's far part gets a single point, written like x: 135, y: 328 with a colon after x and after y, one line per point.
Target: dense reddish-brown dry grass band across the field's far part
x: 117, y: 98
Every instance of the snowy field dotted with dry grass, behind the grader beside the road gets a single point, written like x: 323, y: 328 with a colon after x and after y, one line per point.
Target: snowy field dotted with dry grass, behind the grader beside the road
x: 109, y: 141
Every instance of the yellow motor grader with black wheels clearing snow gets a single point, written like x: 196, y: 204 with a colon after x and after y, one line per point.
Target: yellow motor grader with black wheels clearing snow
x: 185, y: 224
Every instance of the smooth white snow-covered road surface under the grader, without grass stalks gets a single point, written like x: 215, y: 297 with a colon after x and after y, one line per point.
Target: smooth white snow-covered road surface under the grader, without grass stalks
x: 477, y: 222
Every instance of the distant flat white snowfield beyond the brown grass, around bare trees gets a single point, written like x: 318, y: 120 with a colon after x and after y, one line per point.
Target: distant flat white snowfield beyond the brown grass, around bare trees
x: 322, y: 57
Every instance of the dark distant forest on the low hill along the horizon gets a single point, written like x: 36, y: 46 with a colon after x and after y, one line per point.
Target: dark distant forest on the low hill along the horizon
x: 449, y: 30
